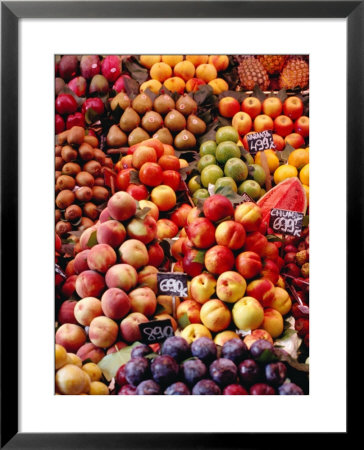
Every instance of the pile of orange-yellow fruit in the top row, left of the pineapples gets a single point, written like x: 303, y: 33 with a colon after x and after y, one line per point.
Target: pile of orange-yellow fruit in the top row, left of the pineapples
x: 179, y: 73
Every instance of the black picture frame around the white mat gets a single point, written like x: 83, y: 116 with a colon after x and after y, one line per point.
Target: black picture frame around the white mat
x: 11, y: 13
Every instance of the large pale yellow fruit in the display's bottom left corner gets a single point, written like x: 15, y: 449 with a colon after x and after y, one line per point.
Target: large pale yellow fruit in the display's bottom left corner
x: 72, y: 380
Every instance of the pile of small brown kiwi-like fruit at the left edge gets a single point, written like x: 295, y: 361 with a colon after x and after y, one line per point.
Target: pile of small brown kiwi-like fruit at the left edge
x: 80, y: 185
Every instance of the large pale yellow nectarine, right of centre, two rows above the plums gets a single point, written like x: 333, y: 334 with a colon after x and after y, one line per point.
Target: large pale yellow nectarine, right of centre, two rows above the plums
x: 247, y: 313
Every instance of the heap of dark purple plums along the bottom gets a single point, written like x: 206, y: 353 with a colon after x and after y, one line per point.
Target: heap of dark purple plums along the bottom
x: 199, y: 369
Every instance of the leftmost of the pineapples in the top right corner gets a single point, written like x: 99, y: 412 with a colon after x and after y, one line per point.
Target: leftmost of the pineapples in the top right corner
x: 251, y: 72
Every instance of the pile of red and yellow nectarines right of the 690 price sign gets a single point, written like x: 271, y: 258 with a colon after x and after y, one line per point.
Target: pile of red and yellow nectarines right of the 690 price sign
x: 235, y: 273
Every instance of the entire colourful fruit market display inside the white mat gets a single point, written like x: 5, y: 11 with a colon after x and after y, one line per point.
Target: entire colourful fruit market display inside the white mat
x: 156, y: 178
